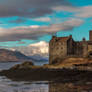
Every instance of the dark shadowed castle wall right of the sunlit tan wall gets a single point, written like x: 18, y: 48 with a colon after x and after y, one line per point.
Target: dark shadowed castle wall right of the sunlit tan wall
x: 75, y: 49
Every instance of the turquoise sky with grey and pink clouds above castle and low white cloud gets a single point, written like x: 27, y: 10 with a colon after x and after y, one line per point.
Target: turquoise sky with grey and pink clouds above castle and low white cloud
x: 25, y: 22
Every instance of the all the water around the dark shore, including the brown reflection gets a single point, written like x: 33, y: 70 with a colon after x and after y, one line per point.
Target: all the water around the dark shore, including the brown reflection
x: 7, y: 85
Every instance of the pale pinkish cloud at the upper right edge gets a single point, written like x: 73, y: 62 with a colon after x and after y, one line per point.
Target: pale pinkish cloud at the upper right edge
x: 82, y: 12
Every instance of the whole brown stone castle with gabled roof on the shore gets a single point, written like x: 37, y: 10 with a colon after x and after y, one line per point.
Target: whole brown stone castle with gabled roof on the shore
x: 62, y: 47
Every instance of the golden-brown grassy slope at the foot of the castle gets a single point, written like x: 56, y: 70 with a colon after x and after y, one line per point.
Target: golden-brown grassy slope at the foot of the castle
x: 72, y: 62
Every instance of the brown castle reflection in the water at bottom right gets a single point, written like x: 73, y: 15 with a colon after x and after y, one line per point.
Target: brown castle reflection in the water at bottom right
x: 69, y: 87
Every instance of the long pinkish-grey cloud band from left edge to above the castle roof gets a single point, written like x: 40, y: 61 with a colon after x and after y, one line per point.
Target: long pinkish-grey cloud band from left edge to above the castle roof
x: 35, y: 32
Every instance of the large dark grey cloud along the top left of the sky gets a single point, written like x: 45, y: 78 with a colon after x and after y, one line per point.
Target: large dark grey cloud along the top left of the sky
x: 29, y: 8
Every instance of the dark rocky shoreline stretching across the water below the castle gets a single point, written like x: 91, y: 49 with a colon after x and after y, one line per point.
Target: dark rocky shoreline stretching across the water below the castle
x: 28, y: 72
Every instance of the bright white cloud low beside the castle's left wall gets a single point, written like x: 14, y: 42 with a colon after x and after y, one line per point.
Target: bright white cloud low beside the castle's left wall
x: 41, y: 48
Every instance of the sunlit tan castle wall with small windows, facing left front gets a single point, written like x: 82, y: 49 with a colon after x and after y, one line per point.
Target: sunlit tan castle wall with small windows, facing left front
x: 57, y: 51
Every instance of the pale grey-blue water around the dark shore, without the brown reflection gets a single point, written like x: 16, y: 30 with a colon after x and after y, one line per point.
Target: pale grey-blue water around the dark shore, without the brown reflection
x: 6, y: 85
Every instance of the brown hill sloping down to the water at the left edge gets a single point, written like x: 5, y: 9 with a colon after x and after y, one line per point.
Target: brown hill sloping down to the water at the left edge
x: 8, y: 55
